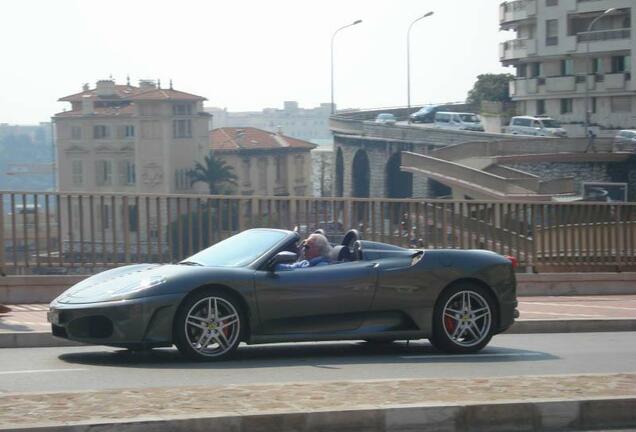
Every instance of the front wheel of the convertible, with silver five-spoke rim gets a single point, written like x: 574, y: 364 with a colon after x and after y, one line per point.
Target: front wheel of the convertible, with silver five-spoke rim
x: 208, y: 325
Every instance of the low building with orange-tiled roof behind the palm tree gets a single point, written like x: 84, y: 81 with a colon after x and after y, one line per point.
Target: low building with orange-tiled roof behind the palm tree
x: 266, y: 163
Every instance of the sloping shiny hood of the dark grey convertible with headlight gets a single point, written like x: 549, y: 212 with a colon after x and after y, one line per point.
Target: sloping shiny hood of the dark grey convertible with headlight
x: 119, y: 283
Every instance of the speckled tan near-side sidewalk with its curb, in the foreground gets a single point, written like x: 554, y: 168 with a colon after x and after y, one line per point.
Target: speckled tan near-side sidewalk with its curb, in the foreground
x: 513, y: 403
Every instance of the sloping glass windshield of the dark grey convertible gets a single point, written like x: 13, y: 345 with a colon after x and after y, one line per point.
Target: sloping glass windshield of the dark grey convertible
x: 237, y: 251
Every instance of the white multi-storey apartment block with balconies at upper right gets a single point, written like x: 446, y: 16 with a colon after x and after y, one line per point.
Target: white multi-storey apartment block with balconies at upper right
x: 566, y: 59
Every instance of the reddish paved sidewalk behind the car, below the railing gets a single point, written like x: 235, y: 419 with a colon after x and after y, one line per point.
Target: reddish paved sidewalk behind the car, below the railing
x: 26, y: 325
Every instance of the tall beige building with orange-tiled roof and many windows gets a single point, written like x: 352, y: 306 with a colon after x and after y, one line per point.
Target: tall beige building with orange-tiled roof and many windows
x: 124, y: 138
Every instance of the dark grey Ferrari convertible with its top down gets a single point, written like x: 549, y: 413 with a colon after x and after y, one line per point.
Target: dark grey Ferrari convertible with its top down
x: 231, y: 293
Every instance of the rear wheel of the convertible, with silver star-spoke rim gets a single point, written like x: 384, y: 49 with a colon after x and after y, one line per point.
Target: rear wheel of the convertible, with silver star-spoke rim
x: 464, y: 319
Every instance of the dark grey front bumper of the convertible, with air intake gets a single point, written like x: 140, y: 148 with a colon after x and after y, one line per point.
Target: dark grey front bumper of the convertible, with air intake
x: 145, y: 321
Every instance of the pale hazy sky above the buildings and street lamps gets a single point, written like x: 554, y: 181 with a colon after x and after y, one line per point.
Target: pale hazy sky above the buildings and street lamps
x: 246, y: 54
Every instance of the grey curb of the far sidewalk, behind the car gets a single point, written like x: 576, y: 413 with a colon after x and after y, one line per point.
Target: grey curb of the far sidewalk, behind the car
x: 46, y: 339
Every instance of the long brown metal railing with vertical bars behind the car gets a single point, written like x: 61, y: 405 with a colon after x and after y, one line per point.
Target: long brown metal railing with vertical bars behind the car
x: 84, y: 233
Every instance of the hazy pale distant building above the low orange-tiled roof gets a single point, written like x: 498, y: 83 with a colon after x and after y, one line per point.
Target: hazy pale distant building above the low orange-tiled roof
x: 293, y: 121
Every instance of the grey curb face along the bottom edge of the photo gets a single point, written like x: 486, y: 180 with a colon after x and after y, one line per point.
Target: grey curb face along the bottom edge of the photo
x: 544, y: 415
